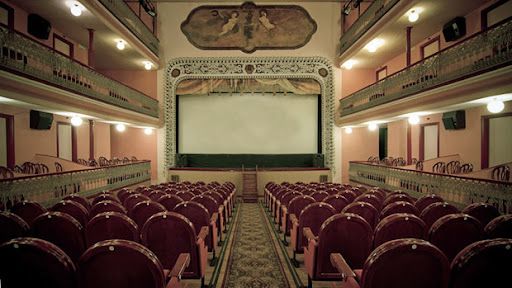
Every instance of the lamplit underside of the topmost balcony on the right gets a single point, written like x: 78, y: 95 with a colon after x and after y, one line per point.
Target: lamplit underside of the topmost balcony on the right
x: 434, y: 15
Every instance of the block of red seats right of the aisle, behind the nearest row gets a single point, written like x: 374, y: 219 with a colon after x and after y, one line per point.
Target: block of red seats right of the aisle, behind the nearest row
x: 355, y: 220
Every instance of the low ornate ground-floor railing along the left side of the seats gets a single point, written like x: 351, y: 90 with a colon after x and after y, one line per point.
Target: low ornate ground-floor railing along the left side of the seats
x: 48, y: 189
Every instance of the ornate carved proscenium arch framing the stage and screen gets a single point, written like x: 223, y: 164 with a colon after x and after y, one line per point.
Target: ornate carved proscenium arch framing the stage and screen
x: 317, y: 68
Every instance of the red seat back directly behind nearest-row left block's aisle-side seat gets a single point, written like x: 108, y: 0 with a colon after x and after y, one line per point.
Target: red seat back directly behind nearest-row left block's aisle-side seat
x: 111, y: 225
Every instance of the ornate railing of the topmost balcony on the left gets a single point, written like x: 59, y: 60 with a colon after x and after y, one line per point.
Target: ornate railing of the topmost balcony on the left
x: 125, y: 15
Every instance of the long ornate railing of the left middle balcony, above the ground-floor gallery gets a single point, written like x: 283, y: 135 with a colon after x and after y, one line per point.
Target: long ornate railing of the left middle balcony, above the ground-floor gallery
x: 24, y: 56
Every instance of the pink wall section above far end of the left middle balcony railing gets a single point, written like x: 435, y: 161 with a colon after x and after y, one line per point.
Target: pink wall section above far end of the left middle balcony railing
x: 144, y: 81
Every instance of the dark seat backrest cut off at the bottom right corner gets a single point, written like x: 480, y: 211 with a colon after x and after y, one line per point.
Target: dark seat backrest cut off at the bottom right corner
x: 491, y: 258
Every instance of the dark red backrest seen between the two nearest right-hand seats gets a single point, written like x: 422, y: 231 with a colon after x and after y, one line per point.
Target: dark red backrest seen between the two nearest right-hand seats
x: 453, y: 232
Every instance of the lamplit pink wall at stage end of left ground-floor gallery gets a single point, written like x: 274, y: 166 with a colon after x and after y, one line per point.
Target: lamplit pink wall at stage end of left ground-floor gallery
x: 133, y: 142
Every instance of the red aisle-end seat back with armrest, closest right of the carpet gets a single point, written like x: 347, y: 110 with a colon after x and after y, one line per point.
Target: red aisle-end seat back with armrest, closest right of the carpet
x: 345, y: 233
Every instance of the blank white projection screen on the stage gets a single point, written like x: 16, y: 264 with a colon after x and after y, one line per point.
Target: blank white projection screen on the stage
x: 252, y: 123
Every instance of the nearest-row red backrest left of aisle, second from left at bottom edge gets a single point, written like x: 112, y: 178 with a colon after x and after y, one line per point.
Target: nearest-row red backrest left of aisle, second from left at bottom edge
x: 135, y: 266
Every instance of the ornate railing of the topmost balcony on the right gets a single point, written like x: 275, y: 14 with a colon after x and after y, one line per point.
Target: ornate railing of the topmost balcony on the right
x: 369, y: 17
